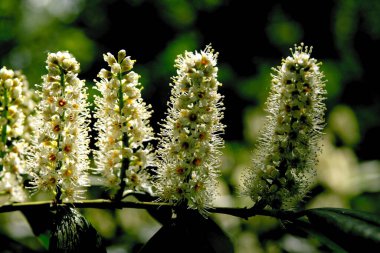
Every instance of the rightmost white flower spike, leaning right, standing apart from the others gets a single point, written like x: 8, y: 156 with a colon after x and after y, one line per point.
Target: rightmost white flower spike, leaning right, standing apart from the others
x: 286, y: 155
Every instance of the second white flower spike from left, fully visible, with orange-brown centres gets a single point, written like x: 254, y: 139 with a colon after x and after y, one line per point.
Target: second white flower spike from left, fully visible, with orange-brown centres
x: 58, y: 158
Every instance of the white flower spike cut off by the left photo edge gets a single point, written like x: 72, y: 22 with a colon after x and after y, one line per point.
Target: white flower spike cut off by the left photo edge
x: 15, y: 107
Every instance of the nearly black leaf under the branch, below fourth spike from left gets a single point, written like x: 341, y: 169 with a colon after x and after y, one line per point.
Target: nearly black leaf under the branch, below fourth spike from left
x: 188, y: 233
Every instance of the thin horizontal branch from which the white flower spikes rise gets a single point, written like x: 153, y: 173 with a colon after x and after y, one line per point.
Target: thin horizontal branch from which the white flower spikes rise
x: 244, y: 213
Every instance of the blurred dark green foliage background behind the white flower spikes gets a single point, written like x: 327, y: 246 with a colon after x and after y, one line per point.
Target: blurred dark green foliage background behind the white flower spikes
x: 251, y: 38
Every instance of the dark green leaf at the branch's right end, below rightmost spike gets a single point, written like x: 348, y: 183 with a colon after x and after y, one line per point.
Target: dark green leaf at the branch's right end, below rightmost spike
x: 351, y: 230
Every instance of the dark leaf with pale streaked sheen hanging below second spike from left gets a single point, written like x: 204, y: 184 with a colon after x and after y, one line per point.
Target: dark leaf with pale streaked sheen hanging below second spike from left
x: 72, y: 233
